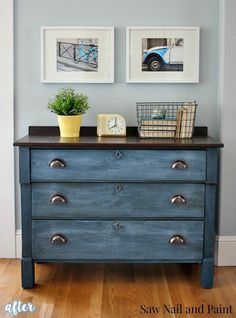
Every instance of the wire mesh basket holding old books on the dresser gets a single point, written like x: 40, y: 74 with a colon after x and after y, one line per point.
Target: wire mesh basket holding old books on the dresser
x: 166, y: 119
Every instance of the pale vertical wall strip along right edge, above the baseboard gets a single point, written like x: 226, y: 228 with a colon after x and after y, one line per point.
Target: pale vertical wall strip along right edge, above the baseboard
x: 227, y: 119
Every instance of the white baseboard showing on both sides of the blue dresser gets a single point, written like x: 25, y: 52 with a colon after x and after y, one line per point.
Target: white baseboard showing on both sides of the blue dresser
x: 225, y: 249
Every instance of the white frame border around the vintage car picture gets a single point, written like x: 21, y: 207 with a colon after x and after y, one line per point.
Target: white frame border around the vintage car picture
x: 160, y: 77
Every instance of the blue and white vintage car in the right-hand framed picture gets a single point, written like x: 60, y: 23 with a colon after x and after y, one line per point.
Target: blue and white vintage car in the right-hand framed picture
x: 163, y: 57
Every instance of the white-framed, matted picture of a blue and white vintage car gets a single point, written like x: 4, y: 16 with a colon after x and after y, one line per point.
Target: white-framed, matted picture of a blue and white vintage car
x: 162, y: 54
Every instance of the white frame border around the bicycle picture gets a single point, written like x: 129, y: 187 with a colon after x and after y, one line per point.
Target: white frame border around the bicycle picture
x: 78, y: 78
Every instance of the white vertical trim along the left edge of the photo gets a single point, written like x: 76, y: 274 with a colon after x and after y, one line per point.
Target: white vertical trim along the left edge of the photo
x: 7, y: 195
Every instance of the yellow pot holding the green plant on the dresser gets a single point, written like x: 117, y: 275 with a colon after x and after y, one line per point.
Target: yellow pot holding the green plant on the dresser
x: 69, y: 125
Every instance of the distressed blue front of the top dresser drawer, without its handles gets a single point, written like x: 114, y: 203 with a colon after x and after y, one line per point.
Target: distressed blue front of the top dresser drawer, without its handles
x: 110, y: 165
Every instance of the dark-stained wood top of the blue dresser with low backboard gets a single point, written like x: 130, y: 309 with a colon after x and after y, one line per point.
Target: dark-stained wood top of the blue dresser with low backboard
x: 43, y: 137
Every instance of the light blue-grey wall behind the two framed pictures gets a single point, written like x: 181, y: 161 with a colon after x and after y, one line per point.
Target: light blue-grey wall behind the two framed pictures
x: 31, y: 96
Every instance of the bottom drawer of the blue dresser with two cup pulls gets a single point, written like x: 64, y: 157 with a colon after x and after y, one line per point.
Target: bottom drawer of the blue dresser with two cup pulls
x: 117, y: 240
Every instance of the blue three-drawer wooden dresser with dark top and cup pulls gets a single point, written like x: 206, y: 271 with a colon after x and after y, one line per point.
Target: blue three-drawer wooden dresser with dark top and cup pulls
x: 96, y: 199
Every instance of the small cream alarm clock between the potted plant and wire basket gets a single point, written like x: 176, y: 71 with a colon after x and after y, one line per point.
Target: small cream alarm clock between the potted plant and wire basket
x: 111, y: 125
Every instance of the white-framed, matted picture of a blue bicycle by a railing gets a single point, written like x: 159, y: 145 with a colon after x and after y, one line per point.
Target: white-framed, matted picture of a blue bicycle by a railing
x: 77, y: 54
